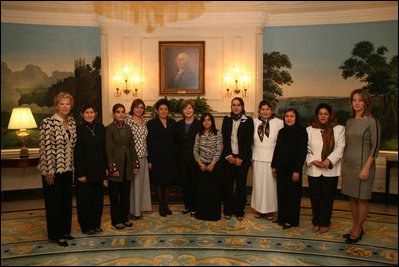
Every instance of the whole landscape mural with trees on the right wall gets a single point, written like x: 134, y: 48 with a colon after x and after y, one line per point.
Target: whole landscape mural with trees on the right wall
x: 306, y: 65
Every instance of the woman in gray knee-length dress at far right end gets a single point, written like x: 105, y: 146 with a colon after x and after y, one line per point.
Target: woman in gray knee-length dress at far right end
x: 362, y: 135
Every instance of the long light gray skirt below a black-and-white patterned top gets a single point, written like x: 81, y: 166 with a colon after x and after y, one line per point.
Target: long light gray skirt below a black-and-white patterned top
x: 140, y: 191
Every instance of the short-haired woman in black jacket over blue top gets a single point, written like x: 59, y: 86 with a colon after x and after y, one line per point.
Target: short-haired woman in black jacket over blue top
x: 186, y: 130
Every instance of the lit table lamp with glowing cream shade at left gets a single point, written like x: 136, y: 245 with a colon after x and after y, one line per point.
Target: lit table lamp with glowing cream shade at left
x: 22, y: 119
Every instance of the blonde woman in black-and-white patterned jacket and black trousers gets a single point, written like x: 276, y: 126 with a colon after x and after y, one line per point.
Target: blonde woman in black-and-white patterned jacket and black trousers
x: 57, y: 140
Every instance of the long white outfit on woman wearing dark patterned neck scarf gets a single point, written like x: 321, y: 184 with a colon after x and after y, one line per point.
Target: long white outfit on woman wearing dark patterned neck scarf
x: 264, y: 188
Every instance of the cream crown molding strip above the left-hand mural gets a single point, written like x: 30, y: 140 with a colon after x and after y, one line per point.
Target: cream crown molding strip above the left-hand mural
x: 46, y: 18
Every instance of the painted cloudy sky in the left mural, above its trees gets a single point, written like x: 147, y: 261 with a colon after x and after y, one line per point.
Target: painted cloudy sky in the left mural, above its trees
x: 49, y: 47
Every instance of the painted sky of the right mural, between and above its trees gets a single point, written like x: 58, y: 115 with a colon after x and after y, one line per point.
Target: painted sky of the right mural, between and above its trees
x: 317, y: 51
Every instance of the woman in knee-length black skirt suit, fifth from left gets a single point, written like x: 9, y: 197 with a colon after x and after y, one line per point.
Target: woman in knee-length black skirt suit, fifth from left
x: 161, y: 147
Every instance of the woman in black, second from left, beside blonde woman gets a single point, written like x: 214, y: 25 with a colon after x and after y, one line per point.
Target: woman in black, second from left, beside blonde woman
x: 90, y: 170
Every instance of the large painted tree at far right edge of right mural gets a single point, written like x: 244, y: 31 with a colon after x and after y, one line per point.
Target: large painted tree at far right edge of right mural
x: 380, y: 76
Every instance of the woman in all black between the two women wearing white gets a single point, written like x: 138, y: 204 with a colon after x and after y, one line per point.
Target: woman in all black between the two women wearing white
x: 287, y: 164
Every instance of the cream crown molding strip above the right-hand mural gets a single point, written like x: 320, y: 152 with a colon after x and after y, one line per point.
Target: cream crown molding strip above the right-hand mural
x: 334, y: 17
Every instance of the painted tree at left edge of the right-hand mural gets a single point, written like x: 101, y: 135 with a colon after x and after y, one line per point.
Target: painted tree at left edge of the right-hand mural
x: 273, y: 76
